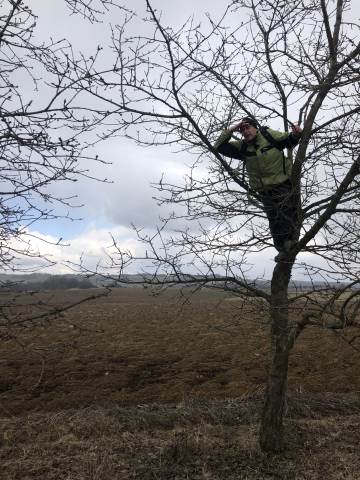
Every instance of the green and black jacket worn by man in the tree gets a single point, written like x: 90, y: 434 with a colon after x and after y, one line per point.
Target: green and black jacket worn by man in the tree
x: 265, y: 164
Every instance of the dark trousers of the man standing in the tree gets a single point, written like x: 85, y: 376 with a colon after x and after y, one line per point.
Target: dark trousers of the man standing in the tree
x: 280, y: 209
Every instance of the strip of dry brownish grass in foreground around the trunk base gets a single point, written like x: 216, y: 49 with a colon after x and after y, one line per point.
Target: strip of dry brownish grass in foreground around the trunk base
x: 189, y: 440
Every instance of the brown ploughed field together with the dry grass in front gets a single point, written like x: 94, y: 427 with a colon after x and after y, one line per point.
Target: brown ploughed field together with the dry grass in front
x: 136, y: 386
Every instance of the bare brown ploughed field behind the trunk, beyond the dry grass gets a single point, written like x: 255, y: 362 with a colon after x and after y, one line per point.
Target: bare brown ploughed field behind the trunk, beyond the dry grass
x: 135, y: 347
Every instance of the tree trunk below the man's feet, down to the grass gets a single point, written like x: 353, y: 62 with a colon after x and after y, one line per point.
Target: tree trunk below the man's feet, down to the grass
x: 271, y: 433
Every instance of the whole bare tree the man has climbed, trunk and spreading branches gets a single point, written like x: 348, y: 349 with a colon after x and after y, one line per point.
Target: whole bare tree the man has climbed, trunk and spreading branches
x: 282, y: 62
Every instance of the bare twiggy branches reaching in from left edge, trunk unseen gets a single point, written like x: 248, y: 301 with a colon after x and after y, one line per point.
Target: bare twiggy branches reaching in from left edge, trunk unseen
x: 45, y: 140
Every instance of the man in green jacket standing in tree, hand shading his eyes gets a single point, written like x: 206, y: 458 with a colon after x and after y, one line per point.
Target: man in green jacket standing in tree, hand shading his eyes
x: 269, y: 171
